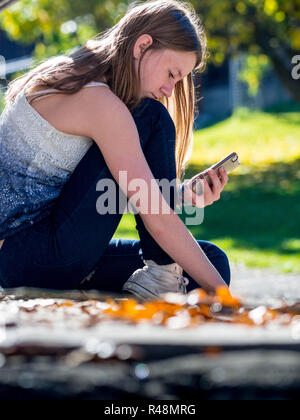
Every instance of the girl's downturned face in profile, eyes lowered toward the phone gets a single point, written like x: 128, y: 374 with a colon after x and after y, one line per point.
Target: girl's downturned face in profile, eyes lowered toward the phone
x: 162, y: 69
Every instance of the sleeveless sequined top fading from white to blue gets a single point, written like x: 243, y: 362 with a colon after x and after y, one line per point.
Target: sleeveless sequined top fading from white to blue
x: 36, y: 160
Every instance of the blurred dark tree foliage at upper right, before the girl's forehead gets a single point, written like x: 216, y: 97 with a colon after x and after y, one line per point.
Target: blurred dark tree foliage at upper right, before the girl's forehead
x: 268, y: 30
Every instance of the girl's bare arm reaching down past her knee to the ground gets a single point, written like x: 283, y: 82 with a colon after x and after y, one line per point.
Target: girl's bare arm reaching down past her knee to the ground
x: 112, y: 127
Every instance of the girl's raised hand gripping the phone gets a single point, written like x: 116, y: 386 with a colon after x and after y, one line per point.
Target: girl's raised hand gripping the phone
x: 211, y: 194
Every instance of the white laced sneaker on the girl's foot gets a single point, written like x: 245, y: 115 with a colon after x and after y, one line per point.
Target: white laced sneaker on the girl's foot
x: 153, y: 280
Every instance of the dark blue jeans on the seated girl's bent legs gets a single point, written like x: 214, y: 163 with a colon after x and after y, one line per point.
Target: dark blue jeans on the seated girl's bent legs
x: 64, y: 248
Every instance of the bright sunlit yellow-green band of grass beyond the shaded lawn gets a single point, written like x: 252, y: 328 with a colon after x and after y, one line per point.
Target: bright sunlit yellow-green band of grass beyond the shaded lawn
x: 259, y: 139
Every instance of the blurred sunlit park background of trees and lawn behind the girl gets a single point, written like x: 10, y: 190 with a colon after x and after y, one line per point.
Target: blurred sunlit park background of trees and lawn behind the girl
x: 249, y: 103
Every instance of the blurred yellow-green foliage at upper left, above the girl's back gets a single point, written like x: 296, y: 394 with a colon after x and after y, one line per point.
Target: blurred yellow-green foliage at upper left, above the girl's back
x: 57, y: 26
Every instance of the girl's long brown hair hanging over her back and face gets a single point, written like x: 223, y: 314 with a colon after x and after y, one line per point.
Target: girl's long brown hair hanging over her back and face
x: 172, y: 24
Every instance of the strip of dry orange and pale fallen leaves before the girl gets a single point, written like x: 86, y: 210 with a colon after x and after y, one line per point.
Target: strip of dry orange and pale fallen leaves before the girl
x: 174, y: 312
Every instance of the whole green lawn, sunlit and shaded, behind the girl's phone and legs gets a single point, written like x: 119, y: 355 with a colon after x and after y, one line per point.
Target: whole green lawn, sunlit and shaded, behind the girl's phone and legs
x: 256, y: 221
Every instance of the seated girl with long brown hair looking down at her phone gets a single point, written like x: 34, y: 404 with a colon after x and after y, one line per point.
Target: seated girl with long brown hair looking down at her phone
x: 122, y: 102
